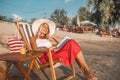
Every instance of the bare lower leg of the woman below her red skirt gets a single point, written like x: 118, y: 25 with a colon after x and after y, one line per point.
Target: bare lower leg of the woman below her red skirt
x: 84, y: 67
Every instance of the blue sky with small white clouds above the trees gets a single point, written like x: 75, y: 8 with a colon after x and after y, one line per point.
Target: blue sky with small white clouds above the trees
x: 27, y: 9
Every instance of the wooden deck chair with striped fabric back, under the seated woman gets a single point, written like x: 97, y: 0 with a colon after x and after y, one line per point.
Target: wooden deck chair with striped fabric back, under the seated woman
x: 29, y: 39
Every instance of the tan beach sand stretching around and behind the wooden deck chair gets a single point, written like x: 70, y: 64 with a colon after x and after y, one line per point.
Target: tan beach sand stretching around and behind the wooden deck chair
x: 101, y: 53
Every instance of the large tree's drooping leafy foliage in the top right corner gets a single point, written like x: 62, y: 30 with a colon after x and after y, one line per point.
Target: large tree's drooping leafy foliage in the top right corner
x: 109, y: 12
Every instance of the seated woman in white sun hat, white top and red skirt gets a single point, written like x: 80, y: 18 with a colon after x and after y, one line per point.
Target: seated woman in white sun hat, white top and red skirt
x: 44, y: 29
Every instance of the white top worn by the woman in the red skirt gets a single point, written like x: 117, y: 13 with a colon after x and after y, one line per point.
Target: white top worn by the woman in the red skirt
x: 43, y: 43
